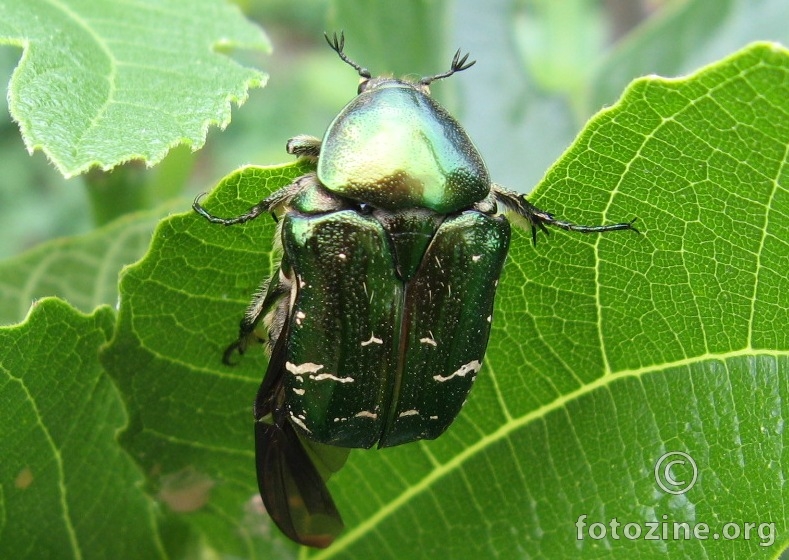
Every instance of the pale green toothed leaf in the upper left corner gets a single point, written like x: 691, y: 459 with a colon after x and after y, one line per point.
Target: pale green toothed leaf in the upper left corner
x: 104, y: 82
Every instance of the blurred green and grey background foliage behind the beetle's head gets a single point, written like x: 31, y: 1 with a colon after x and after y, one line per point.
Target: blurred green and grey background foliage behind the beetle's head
x: 543, y: 68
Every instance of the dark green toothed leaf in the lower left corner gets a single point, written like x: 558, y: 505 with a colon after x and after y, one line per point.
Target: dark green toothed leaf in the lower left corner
x: 67, y: 490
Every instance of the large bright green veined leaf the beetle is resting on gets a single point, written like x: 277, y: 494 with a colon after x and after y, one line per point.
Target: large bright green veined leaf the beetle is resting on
x: 607, y: 351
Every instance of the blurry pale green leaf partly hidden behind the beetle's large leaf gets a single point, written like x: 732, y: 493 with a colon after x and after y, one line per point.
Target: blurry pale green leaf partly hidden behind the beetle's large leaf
x: 82, y: 270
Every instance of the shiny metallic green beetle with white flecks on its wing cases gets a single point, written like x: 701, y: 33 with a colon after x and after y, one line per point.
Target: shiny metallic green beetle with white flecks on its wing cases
x: 378, y: 317
